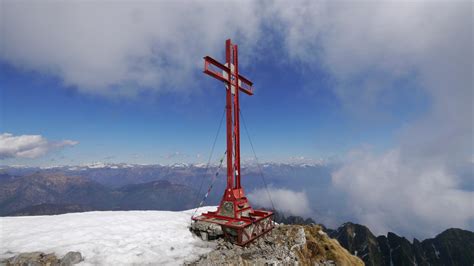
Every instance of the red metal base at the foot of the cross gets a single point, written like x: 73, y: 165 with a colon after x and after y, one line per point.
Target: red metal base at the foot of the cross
x: 240, y: 223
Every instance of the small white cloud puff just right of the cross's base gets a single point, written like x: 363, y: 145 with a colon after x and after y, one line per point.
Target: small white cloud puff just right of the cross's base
x: 285, y: 200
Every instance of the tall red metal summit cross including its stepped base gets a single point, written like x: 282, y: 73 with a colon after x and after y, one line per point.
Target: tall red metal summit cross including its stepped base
x: 240, y: 223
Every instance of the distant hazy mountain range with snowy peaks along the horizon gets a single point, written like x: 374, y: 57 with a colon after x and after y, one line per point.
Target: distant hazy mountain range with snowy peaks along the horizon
x: 314, y: 177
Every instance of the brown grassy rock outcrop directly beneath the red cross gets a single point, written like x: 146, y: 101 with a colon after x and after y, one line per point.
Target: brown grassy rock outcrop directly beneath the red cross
x: 286, y: 244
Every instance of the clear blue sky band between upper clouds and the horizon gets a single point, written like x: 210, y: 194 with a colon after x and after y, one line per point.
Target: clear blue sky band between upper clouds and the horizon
x: 286, y: 117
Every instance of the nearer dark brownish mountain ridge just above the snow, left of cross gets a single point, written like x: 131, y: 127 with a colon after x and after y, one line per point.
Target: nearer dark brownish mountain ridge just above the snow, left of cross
x: 45, y: 193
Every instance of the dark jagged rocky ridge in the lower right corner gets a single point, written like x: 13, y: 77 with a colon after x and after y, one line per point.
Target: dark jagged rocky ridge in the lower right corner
x: 451, y: 247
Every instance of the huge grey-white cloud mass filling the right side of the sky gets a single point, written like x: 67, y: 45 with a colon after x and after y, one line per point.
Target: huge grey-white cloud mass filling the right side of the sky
x: 415, y: 188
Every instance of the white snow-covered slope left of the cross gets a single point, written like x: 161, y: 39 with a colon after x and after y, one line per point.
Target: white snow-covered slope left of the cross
x: 108, y: 237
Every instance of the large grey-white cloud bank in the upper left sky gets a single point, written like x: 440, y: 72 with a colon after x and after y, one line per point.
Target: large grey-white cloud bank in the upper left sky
x: 121, y: 48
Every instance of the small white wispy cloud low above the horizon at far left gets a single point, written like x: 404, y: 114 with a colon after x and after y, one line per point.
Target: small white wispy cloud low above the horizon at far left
x: 28, y: 146
